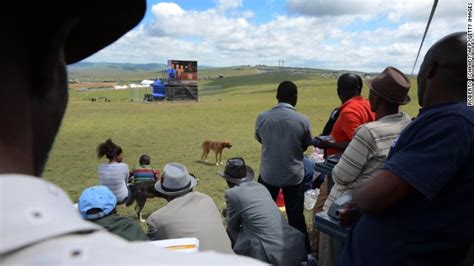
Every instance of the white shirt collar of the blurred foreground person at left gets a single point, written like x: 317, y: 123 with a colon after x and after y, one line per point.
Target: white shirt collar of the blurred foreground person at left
x: 34, y: 210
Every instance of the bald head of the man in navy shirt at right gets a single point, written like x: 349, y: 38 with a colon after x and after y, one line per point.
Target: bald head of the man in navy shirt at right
x: 442, y: 75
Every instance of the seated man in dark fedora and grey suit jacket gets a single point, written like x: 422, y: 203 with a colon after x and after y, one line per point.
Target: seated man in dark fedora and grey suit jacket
x: 254, y: 223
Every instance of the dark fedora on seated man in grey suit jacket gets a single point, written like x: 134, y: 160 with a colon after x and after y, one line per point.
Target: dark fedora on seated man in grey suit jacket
x: 236, y: 171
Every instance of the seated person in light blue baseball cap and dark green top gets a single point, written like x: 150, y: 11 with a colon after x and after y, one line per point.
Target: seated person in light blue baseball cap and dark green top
x: 97, y: 204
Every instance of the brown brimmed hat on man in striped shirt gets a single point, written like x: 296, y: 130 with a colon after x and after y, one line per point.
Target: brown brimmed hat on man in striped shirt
x: 391, y: 85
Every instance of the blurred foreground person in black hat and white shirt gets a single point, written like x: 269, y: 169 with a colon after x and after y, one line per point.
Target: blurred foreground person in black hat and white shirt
x: 39, y: 223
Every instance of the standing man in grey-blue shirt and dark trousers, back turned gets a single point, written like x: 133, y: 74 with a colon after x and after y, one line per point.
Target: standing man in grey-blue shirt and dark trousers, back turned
x: 285, y: 134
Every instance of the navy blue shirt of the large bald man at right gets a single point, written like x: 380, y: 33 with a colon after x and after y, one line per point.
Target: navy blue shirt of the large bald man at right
x: 434, y: 224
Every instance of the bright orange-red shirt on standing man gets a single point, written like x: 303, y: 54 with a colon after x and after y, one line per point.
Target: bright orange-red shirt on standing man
x: 353, y: 113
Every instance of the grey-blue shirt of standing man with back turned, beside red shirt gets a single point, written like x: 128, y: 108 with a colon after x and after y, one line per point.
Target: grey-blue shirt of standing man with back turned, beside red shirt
x: 285, y: 134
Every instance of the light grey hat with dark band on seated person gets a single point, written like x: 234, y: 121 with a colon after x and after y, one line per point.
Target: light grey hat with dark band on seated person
x: 176, y: 180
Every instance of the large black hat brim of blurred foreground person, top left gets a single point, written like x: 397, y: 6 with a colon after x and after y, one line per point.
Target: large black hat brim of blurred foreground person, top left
x: 95, y: 24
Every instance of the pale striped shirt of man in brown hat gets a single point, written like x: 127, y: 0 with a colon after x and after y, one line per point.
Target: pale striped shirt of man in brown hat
x: 365, y: 154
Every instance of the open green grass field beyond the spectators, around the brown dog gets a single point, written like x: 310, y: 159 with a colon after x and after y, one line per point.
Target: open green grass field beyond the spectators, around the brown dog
x: 174, y: 131
